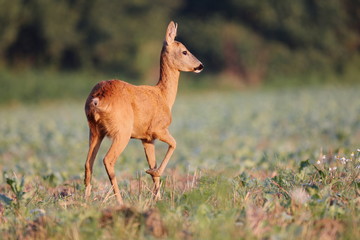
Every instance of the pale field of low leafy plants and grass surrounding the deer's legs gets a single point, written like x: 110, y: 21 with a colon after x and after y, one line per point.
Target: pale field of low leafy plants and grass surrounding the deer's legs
x: 268, y: 164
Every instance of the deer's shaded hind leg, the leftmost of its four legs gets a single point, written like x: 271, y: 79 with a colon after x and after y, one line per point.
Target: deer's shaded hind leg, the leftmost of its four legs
x: 95, y: 140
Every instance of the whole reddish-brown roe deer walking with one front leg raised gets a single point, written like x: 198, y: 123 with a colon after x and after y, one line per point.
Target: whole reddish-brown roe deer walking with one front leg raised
x: 122, y: 111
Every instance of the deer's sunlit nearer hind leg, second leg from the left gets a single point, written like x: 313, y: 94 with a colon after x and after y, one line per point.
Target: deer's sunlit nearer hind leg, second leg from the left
x: 117, y: 147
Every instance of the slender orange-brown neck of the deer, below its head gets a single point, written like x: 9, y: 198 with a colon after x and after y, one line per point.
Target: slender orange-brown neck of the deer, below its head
x: 168, y: 81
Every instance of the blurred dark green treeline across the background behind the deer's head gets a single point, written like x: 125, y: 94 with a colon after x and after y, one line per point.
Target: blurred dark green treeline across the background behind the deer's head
x: 245, y: 40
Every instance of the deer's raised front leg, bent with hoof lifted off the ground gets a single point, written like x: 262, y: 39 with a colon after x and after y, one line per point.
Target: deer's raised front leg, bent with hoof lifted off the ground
x: 167, y: 138
